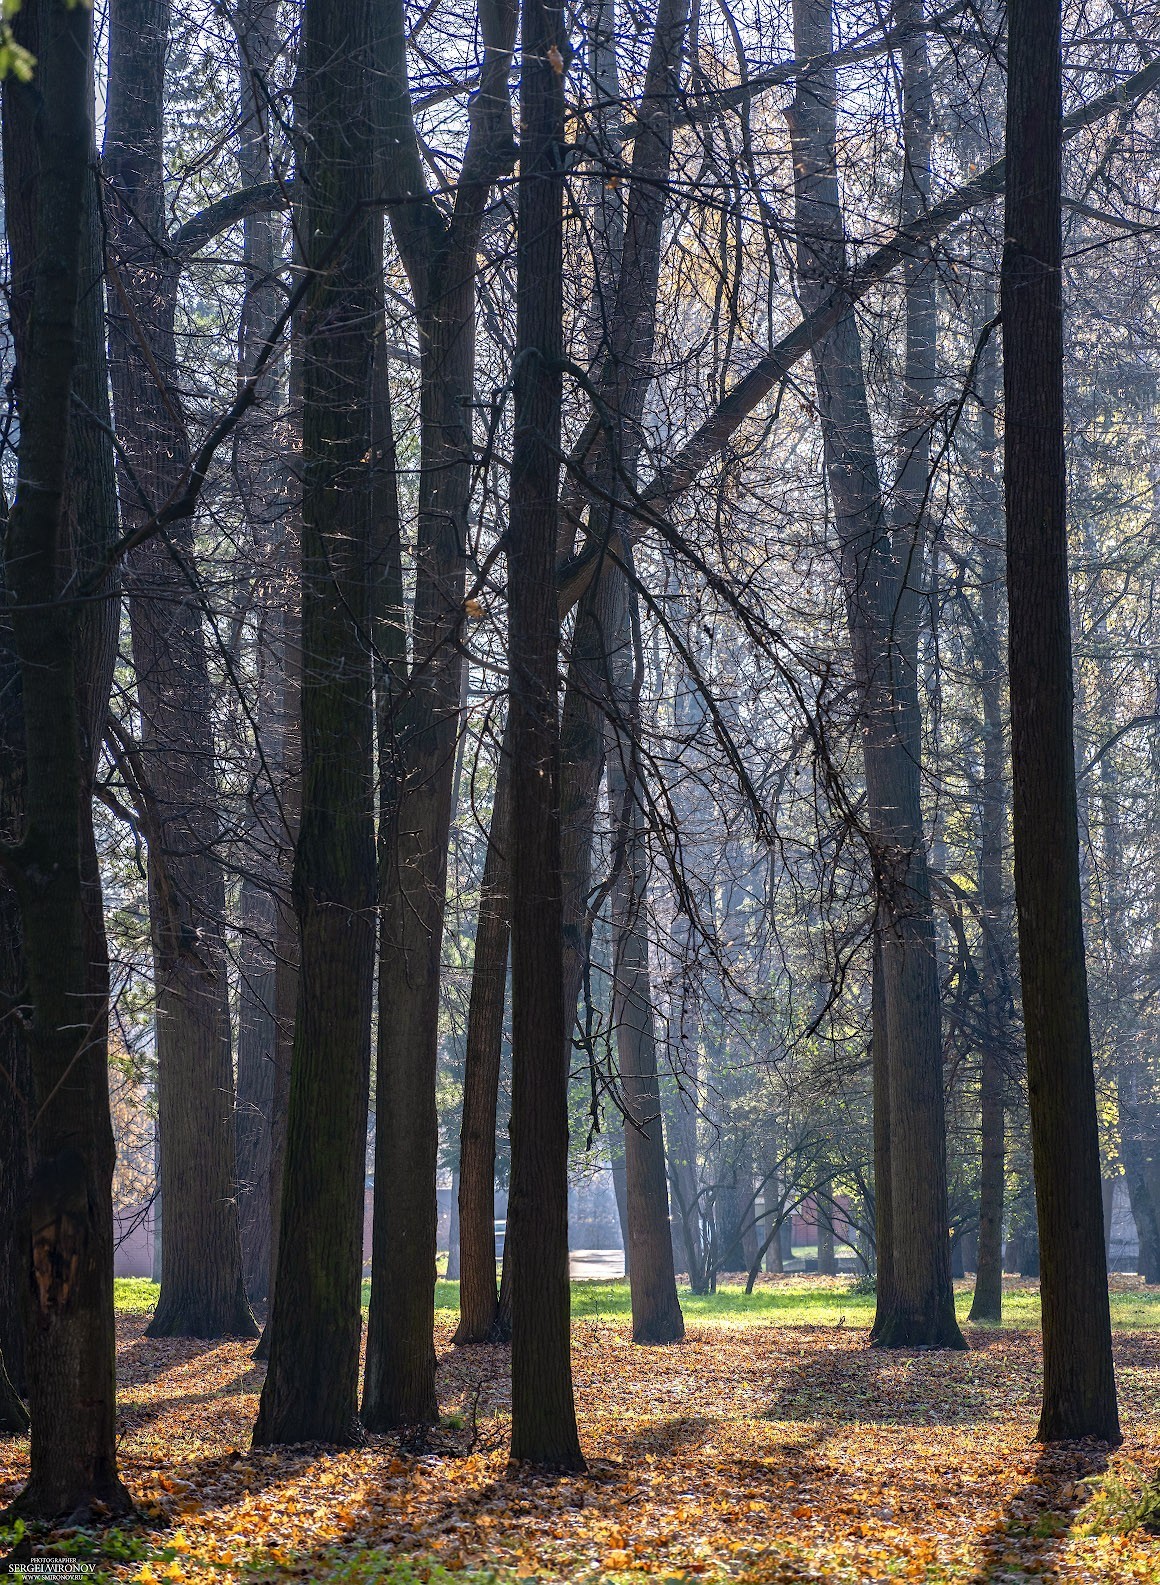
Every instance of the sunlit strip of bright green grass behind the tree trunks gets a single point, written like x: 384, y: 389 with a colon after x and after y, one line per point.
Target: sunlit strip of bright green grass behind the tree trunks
x: 796, y: 1302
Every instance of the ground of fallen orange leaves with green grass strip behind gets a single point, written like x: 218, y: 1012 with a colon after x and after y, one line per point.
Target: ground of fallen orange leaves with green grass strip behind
x: 773, y: 1446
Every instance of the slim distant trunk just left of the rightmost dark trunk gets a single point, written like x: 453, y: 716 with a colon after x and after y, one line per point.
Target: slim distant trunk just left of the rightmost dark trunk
x: 988, y: 1304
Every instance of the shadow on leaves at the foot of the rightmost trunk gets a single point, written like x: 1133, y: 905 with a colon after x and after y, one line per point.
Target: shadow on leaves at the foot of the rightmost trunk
x: 1040, y: 1511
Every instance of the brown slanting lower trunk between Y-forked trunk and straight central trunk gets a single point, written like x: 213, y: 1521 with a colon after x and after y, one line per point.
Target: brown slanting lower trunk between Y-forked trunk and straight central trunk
x: 479, y: 1296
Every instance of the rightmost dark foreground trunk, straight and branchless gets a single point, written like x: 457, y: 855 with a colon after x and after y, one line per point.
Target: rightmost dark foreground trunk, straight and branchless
x: 1080, y: 1383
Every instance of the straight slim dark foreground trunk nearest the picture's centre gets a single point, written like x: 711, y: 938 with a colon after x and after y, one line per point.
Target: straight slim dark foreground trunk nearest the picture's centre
x: 544, y: 1429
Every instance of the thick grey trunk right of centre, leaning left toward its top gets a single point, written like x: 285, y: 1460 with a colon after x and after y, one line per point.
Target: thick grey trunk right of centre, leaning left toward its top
x: 882, y: 617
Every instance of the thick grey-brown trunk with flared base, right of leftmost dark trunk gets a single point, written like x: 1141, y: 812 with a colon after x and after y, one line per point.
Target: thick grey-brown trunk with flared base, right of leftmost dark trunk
x: 202, y: 1275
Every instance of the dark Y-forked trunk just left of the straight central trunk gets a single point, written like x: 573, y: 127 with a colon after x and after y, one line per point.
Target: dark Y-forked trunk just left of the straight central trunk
x: 418, y: 744
